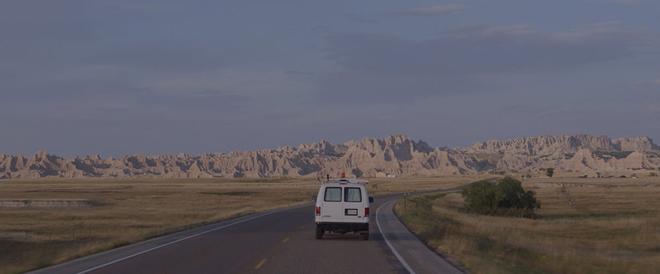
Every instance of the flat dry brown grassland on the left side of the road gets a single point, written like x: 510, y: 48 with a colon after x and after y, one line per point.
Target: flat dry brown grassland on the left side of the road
x: 76, y: 217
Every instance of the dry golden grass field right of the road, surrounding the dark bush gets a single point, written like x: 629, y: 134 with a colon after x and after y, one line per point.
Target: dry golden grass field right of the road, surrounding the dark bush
x: 583, y: 226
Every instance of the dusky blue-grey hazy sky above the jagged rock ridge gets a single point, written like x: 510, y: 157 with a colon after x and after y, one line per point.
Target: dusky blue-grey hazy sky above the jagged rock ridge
x: 165, y: 76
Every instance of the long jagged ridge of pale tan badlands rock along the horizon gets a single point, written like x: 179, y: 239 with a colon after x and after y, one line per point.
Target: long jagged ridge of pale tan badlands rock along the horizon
x: 392, y: 156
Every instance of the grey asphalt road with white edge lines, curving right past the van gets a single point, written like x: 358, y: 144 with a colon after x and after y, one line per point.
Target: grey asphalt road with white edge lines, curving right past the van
x: 280, y: 241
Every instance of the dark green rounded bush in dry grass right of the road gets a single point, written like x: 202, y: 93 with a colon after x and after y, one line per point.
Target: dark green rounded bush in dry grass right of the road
x: 507, y: 196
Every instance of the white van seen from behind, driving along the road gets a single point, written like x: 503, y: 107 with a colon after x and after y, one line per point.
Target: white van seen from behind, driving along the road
x: 342, y: 206
